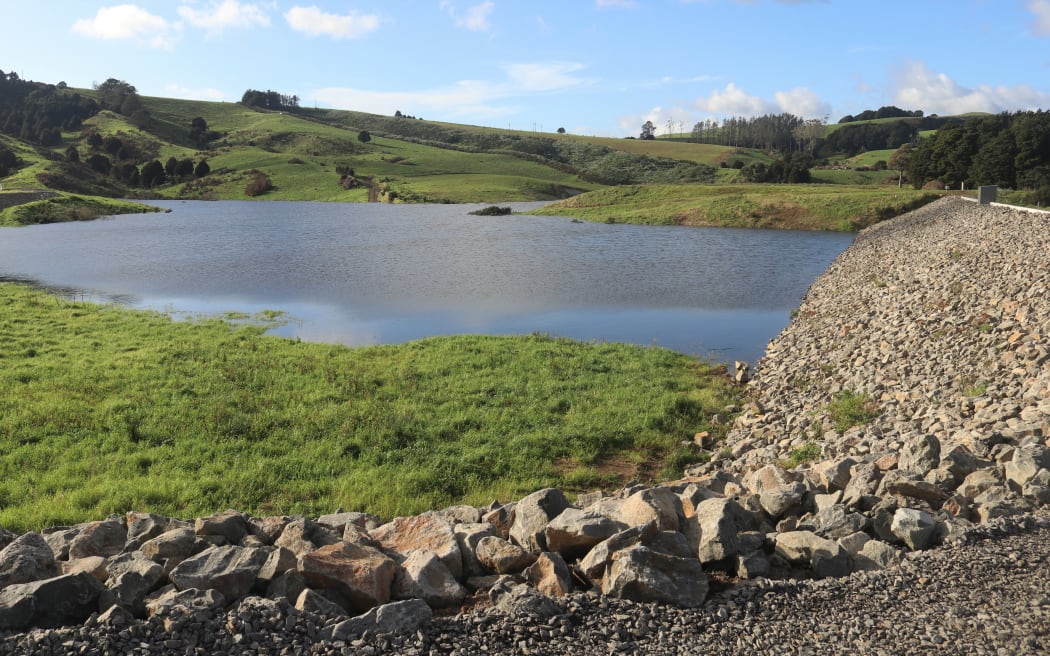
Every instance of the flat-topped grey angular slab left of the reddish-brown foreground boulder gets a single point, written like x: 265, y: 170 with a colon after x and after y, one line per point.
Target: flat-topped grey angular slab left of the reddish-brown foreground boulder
x: 229, y: 569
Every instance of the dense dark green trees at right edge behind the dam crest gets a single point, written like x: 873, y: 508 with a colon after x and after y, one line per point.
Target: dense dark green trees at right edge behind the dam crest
x: 1012, y: 151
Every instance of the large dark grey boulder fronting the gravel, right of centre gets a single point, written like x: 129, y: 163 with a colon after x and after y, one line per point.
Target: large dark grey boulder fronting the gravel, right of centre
x: 641, y: 575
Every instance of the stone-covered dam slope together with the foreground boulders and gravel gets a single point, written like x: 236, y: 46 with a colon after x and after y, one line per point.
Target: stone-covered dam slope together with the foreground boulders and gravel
x: 906, y: 408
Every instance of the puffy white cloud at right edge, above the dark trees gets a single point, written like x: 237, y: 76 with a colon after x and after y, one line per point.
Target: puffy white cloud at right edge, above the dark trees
x: 918, y: 88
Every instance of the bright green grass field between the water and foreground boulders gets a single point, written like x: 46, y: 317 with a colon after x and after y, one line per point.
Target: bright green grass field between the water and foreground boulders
x: 106, y: 410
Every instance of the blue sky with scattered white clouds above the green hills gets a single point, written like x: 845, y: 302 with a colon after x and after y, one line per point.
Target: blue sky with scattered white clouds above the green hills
x: 592, y: 67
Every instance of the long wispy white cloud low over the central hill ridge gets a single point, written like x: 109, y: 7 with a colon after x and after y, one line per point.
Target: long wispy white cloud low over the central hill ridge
x: 464, y: 98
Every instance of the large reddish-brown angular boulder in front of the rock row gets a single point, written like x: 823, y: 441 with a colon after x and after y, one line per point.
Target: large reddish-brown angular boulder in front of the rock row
x: 363, y: 576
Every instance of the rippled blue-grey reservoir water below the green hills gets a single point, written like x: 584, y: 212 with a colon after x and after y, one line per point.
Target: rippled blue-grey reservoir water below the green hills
x: 364, y: 274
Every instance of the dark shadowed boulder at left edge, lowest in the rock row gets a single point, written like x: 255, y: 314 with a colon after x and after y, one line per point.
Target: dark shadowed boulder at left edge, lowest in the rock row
x: 56, y: 602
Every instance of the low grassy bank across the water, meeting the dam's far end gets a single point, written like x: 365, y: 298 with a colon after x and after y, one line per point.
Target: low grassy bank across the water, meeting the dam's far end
x: 801, y: 207
